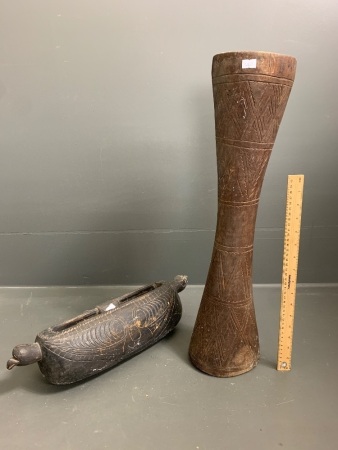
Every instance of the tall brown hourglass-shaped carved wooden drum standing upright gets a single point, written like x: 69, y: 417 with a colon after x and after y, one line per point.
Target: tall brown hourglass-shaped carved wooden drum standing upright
x: 249, y: 105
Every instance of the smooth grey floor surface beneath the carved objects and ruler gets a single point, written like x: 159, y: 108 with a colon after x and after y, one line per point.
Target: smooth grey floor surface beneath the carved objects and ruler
x: 158, y: 400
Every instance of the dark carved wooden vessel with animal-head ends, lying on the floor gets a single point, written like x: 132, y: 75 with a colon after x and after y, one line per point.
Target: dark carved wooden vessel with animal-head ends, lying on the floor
x: 106, y: 335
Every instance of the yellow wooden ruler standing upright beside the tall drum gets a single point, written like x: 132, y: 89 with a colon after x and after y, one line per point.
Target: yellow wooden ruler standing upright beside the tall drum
x: 293, y: 217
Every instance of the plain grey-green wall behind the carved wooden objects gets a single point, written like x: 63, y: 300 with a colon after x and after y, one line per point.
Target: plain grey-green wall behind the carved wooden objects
x: 108, y: 165
